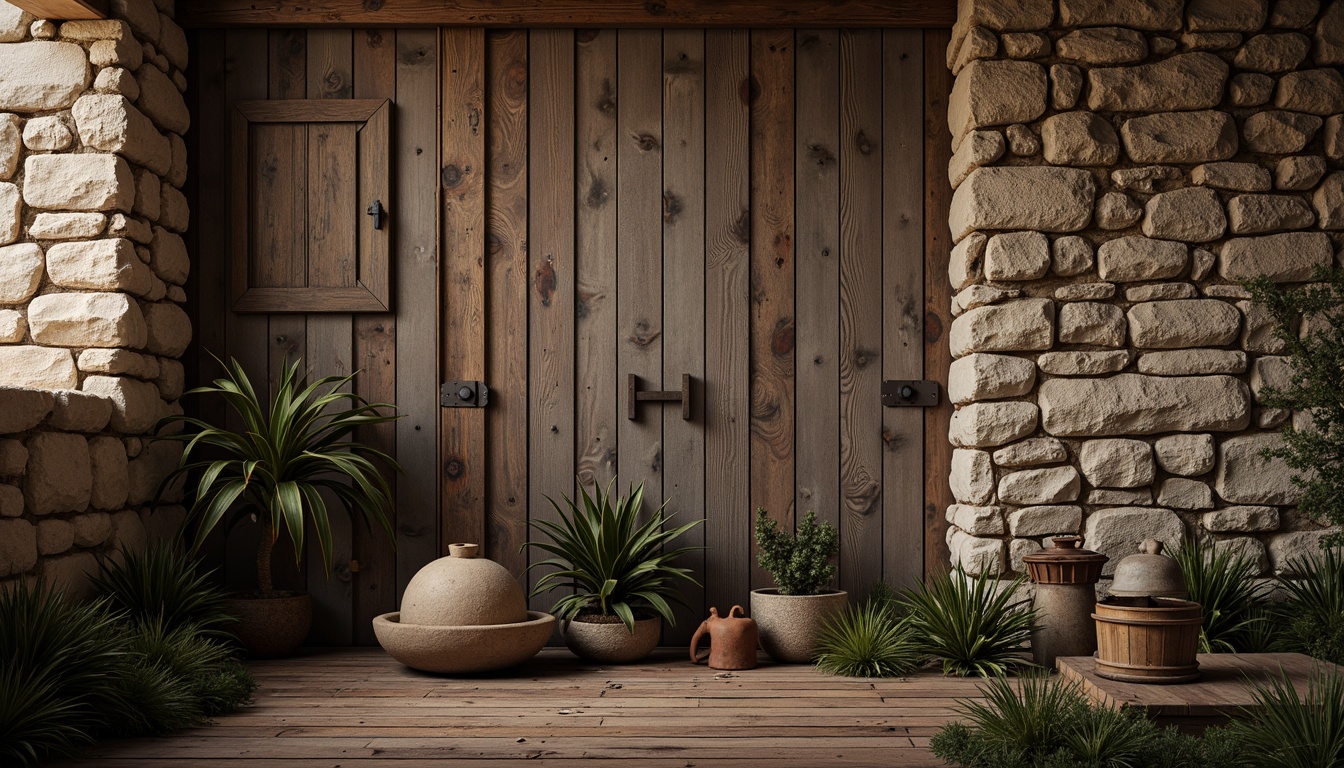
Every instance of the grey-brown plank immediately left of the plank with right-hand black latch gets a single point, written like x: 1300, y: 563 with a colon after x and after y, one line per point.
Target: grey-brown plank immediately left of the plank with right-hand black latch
x: 861, y: 309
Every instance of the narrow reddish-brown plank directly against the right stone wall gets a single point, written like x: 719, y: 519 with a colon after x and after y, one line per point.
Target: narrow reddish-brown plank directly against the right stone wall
x: 937, y: 295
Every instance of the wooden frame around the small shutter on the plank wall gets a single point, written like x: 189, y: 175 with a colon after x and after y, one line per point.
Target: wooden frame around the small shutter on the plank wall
x: 373, y: 284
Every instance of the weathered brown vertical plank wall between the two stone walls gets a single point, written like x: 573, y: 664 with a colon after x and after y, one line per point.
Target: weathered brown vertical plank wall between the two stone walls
x: 763, y: 210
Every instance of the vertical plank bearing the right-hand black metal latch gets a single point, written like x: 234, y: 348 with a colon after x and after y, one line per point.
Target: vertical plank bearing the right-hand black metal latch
x: 902, y: 290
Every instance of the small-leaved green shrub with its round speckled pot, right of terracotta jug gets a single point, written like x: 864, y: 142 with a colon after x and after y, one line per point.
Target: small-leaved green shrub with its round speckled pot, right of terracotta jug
x: 792, y: 614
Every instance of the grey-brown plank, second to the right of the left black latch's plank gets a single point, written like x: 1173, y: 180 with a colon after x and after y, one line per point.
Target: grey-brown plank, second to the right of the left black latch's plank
x: 552, y: 268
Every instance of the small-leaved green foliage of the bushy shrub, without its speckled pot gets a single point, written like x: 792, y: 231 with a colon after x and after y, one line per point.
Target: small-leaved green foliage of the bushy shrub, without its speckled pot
x: 800, y: 564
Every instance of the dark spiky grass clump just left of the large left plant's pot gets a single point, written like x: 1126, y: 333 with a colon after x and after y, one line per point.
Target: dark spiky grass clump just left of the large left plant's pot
x: 162, y: 583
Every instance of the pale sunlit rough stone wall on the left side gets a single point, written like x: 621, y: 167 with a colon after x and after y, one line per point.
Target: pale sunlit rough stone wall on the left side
x: 92, y: 266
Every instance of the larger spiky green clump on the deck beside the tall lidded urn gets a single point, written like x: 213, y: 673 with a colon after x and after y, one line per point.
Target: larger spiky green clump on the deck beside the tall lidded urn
x: 971, y: 625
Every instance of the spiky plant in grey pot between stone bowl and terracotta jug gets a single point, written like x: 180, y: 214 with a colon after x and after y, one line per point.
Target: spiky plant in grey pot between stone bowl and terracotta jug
x: 622, y: 572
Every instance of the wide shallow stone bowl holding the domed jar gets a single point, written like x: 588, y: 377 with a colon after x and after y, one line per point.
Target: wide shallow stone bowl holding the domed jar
x: 462, y: 650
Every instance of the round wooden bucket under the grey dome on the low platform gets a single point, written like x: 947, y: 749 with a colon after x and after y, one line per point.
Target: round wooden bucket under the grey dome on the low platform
x: 1148, y: 640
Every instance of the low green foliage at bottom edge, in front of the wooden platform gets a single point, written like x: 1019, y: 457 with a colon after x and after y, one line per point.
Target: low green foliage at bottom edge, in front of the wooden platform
x: 1048, y: 723
